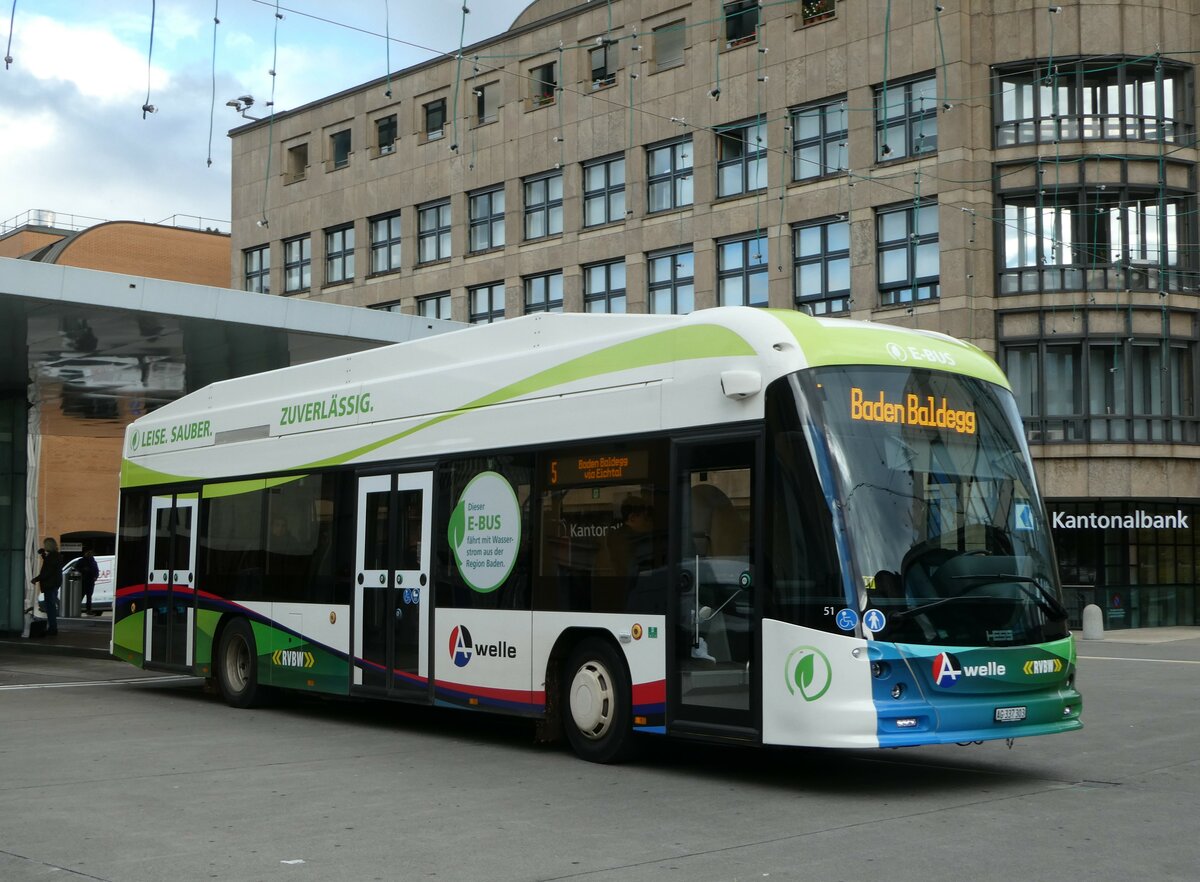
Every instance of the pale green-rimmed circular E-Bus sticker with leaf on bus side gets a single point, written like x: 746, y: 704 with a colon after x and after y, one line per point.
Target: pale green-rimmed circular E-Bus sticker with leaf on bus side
x: 485, y: 532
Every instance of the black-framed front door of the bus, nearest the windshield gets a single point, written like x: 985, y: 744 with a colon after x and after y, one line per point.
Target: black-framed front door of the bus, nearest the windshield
x: 713, y: 665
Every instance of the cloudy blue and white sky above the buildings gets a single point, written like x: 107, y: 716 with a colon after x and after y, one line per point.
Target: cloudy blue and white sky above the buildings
x: 73, y: 135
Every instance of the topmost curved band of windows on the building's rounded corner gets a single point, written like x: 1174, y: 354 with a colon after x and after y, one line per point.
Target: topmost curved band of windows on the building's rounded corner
x: 1113, y: 99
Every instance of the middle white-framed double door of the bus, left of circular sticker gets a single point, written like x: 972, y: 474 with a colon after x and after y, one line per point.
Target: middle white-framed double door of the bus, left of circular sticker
x: 392, y: 585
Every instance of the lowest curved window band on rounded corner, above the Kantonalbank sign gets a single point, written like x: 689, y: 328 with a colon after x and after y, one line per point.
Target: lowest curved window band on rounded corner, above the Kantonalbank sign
x: 1113, y: 388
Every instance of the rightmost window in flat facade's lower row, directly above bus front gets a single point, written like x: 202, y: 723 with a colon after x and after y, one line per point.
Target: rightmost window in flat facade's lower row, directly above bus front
x: 909, y: 263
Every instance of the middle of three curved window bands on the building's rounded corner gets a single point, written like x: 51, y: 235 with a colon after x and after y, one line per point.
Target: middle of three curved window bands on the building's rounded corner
x: 1112, y: 239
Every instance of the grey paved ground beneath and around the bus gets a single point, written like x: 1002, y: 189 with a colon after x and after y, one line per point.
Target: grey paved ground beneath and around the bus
x: 113, y: 775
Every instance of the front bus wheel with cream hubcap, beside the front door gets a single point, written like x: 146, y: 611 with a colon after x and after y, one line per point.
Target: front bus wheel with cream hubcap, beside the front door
x: 597, y: 700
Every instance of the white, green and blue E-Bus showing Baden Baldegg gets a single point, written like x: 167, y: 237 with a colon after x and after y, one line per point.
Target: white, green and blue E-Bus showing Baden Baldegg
x: 741, y: 525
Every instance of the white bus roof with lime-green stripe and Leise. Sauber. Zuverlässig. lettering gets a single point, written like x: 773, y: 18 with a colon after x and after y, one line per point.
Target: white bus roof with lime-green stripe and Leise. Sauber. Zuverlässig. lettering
x: 539, y: 379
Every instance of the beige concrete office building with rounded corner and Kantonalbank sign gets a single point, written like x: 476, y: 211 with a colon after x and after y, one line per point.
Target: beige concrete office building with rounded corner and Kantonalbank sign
x: 1018, y: 175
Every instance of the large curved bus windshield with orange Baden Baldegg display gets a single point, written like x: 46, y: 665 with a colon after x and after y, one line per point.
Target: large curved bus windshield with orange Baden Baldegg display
x: 941, y: 521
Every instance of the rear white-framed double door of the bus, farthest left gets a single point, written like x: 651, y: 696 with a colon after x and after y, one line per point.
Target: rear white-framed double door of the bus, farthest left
x: 171, y: 581
